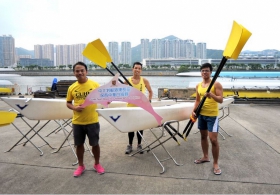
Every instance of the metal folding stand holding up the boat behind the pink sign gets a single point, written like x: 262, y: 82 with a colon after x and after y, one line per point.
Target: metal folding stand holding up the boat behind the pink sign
x: 149, y: 148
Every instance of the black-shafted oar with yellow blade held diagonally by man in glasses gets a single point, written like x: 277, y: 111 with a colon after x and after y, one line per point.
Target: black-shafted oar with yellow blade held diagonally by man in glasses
x: 238, y: 37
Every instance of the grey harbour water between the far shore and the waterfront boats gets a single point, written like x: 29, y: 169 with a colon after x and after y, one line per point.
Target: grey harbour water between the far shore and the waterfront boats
x: 25, y: 84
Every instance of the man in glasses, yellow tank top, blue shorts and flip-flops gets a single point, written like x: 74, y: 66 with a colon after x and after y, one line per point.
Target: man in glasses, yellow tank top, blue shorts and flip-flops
x: 208, y: 117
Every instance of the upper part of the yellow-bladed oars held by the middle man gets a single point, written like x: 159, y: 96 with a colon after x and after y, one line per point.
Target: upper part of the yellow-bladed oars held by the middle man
x: 97, y: 53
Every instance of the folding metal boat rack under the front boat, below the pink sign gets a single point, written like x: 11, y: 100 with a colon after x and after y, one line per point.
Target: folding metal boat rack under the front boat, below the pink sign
x: 159, y: 142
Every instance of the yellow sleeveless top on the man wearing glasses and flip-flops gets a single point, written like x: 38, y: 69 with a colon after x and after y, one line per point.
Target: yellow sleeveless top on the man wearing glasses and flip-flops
x: 210, y: 106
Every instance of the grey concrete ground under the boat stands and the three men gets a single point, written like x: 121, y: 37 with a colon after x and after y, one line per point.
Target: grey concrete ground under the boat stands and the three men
x: 249, y: 160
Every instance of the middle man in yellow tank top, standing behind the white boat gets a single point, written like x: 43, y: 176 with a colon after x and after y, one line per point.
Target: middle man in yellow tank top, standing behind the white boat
x: 141, y: 84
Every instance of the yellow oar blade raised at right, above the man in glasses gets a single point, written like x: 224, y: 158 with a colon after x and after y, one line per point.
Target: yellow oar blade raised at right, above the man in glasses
x: 238, y: 37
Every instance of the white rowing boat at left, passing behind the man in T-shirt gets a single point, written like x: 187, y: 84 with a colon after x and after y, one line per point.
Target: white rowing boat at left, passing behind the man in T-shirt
x: 55, y: 109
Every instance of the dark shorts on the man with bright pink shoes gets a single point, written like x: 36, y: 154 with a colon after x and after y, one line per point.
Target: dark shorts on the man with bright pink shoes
x: 91, y: 130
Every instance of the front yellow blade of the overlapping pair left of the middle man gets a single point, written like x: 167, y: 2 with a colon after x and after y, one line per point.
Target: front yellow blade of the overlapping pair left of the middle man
x: 94, y: 55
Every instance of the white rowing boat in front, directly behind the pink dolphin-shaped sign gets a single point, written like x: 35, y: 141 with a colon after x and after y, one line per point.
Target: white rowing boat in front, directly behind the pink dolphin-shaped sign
x: 129, y: 119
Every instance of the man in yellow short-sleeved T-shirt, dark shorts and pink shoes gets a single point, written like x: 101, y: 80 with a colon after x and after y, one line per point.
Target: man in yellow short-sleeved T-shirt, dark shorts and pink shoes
x: 85, y: 120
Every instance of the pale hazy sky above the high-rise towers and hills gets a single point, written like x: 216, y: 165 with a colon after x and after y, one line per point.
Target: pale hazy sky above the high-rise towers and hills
x: 33, y: 22
